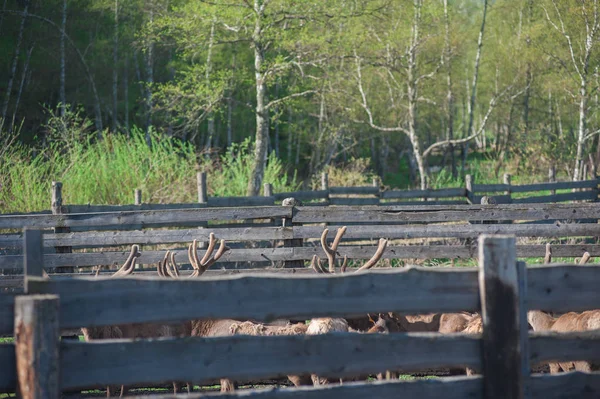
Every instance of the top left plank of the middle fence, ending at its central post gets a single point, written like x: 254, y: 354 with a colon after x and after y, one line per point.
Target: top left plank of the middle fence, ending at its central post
x: 165, y: 217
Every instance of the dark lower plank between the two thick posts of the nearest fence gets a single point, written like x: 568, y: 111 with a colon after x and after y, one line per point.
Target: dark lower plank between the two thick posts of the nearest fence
x: 247, y: 357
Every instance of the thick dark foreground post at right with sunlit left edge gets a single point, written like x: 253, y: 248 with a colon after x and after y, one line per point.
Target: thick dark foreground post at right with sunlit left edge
x: 505, y: 357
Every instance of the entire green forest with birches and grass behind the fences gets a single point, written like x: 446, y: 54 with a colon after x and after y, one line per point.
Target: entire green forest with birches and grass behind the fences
x: 111, y: 95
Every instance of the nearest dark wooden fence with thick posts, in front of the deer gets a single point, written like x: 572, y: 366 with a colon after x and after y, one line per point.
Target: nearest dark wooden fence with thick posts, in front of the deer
x: 502, y: 289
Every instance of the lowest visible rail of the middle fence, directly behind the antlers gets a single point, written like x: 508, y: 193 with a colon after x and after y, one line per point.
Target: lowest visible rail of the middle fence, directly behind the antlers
x: 298, y: 253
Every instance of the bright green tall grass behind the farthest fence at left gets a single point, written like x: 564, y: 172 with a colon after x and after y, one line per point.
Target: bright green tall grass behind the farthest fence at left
x: 108, y: 171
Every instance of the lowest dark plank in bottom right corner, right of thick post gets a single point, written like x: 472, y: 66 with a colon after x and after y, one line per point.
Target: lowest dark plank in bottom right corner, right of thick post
x: 566, y: 386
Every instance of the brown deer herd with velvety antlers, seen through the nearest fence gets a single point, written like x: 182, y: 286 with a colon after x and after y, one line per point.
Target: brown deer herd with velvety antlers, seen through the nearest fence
x: 385, y: 323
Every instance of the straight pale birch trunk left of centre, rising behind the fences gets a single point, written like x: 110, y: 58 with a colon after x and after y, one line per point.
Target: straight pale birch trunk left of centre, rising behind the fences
x: 262, y: 117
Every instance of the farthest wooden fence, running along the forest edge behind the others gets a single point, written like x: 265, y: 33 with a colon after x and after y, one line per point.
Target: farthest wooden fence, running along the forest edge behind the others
x: 472, y: 193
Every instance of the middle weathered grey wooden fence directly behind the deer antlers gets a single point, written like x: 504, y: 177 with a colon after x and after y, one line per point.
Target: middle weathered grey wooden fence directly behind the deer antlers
x: 300, y: 231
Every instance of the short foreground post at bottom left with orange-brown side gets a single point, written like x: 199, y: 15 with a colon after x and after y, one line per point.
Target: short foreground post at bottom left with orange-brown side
x: 37, y: 342
